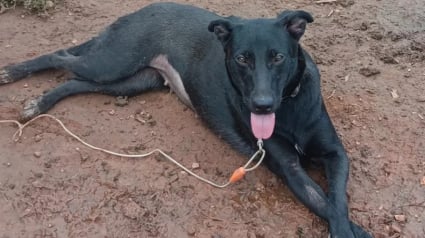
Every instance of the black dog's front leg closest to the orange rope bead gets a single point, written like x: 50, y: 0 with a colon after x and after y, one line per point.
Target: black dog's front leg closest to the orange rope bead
x: 283, y: 160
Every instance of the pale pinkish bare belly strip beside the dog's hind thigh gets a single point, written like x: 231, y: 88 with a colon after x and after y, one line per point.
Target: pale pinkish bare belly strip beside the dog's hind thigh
x: 172, y: 78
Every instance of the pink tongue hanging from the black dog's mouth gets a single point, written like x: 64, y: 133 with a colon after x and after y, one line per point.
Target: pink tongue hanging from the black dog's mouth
x: 262, y: 125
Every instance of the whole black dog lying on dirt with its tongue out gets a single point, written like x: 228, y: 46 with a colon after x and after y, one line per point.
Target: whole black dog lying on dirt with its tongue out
x: 262, y: 85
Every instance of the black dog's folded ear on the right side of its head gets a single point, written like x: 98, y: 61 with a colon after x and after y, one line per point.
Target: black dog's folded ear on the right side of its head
x: 295, y: 22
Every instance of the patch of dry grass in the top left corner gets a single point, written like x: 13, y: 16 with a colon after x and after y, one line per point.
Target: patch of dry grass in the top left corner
x: 36, y: 6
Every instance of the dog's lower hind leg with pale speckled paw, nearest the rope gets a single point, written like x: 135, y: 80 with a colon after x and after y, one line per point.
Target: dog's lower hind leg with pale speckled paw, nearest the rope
x: 144, y: 80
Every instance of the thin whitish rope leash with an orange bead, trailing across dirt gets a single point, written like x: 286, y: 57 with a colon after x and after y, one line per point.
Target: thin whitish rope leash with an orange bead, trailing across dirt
x: 237, y: 175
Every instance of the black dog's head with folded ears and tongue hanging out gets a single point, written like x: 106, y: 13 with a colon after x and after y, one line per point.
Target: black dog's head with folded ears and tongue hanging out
x: 264, y: 61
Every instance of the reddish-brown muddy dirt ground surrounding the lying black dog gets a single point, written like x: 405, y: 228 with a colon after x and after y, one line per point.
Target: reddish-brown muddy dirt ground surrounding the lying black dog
x: 371, y: 55
